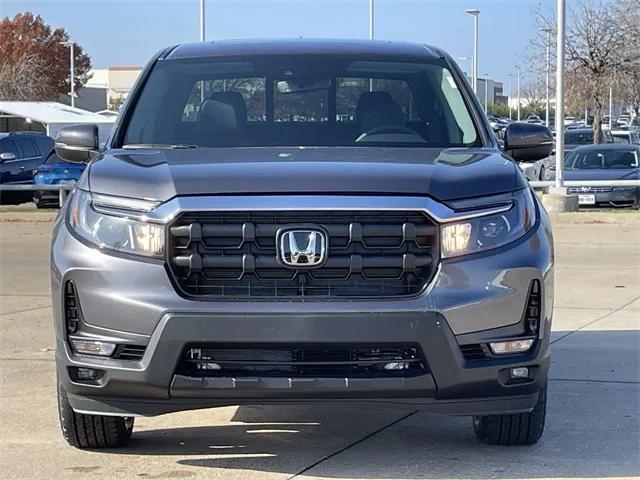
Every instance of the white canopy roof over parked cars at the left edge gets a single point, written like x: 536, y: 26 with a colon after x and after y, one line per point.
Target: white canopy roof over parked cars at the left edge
x: 54, y: 116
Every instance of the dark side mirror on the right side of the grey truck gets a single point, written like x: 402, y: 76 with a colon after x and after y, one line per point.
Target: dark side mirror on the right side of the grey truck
x: 527, y: 142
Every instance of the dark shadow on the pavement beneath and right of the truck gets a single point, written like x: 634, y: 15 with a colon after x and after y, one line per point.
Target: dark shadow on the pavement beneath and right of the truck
x: 592, y: 430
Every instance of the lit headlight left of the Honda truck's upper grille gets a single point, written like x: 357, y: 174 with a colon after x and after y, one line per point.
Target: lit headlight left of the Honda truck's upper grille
x: 115, y: 230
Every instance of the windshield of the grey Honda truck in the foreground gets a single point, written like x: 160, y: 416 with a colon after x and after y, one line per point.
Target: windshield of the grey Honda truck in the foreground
x: 305, y: 101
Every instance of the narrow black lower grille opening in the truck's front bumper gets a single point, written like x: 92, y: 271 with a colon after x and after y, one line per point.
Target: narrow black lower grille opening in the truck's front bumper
x: 311, y: 360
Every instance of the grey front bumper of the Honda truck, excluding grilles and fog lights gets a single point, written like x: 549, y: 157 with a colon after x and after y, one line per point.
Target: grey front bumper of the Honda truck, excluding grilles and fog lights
x: 472, y: 299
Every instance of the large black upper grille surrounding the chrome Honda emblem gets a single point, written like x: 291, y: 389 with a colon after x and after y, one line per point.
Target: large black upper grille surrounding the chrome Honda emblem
x: 370, y: 254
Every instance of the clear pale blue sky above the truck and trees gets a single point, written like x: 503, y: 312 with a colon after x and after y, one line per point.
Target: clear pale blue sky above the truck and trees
x: 128, y: 32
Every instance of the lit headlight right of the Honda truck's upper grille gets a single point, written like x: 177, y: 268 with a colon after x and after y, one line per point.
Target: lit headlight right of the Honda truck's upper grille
x: 491, y: 231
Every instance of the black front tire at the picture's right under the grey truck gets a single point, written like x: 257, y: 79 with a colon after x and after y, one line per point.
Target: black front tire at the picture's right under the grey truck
x: 513, y: 429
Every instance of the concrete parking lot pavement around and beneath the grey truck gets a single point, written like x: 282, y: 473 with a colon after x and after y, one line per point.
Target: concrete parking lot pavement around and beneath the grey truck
x: 593, y: 424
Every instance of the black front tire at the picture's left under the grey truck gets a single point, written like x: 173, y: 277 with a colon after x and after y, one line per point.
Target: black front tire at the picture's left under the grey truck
x: 92, y: 431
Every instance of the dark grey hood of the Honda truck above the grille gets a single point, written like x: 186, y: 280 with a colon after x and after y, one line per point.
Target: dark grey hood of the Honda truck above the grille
x: 161, y: 174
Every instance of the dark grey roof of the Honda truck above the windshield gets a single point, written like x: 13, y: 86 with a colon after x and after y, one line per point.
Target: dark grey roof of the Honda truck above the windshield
x: 303, y: 46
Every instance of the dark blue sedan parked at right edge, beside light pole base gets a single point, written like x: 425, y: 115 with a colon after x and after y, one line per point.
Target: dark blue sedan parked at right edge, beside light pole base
x: 604, y: 162
